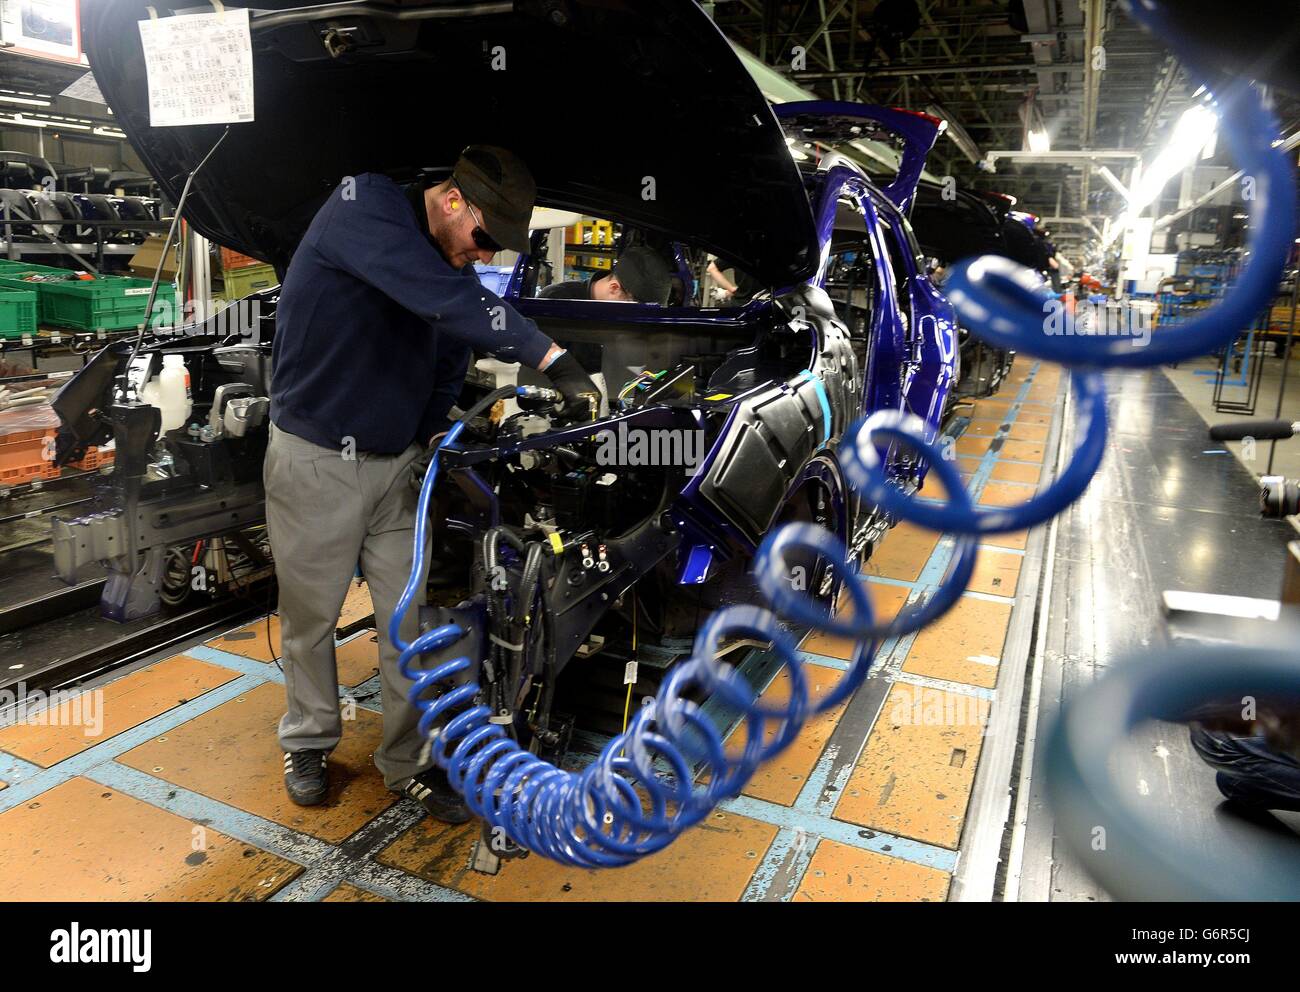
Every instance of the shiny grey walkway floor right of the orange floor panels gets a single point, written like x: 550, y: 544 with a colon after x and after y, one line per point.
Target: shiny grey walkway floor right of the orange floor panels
x: 1164, y: 513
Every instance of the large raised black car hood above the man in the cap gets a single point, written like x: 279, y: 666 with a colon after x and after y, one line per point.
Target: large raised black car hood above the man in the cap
x: 665, y: 129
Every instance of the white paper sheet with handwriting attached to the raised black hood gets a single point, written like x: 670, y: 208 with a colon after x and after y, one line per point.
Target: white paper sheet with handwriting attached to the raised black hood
x: 200, y: 68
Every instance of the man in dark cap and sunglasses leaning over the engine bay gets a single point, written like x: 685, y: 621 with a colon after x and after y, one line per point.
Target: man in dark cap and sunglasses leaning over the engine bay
x: 378, y: 318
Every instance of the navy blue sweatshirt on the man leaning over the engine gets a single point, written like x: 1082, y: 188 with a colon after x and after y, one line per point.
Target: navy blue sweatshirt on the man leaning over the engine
x: 375, y: 328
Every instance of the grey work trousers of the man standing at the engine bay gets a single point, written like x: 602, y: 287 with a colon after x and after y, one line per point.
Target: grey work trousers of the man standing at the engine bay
x: 324, y: 514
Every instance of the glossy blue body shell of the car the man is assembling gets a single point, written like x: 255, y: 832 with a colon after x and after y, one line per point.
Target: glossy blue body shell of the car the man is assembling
x: 907, y: 362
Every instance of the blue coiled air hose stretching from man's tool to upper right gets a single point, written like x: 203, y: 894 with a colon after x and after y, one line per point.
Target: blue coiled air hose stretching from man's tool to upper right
x: 622, y: 808
